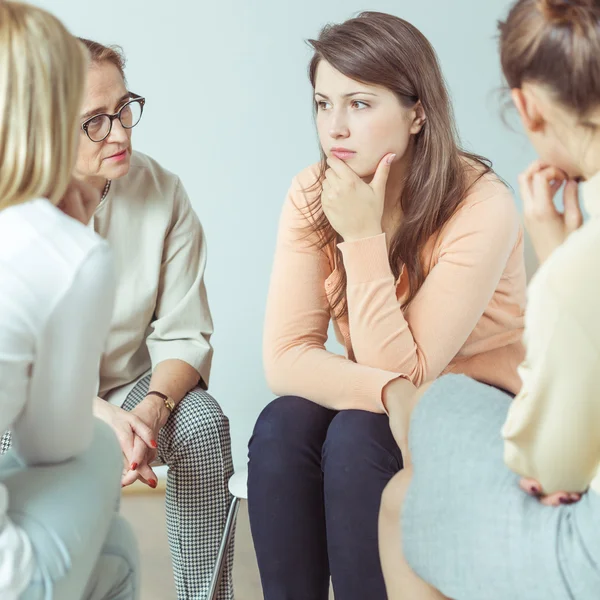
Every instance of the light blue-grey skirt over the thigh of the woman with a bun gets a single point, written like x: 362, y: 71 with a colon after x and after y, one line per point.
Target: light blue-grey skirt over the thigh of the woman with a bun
x: 490, y: 540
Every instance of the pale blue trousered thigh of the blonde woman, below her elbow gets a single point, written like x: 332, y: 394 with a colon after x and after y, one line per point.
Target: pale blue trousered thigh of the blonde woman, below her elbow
x: 66, y: 511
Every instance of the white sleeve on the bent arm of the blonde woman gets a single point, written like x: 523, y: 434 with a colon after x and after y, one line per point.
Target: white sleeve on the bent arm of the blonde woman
x: 56, y: 422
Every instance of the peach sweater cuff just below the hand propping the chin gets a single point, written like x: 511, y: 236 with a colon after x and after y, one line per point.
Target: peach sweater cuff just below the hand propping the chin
x: 366, y: 260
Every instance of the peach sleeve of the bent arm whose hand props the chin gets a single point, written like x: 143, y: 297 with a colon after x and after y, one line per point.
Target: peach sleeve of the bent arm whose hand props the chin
x: 420, y: 342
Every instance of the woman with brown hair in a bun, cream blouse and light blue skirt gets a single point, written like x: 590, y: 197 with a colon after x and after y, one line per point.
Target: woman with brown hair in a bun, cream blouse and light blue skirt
x: 467, y: 528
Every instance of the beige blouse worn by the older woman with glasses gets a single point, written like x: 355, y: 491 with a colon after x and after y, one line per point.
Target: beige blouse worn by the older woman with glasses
x: 161, y: 309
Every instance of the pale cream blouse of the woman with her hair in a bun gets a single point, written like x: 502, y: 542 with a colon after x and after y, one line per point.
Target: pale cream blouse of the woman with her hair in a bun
x: 553, y: 428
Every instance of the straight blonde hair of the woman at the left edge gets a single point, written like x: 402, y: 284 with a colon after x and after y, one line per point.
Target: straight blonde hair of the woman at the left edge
x: 43, y: 69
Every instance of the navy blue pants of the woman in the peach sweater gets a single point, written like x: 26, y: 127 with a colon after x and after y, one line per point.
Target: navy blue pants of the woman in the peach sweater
x: 315, y: 480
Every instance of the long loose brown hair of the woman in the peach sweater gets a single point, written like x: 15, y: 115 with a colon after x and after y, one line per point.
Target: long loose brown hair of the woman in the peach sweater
x: 380, y: 49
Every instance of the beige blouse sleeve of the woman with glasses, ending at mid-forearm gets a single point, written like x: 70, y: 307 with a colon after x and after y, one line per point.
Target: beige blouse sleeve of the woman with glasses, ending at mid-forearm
x: 183, y: 324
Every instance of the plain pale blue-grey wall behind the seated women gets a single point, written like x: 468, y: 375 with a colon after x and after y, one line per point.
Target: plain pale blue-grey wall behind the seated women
x: 229, y: 110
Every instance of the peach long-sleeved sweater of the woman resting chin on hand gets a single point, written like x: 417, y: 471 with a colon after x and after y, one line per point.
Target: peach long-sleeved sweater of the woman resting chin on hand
x: 466, y: 318
